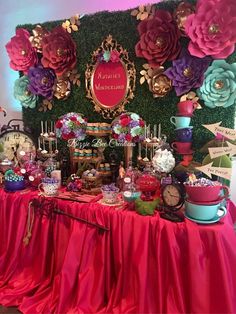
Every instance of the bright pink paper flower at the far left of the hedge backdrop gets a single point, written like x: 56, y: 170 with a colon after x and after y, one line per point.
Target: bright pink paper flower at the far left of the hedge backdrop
x: 22, y: 55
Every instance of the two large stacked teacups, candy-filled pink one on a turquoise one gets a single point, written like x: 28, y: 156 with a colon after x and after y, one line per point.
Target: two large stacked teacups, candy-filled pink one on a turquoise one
x: 204, y: 203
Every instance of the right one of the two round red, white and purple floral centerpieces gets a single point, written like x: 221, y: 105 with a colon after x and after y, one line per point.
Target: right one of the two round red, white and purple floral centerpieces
x: 128, y: 127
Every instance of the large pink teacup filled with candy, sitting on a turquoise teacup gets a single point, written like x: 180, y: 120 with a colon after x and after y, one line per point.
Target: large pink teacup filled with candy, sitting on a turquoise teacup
x: 203, y: 190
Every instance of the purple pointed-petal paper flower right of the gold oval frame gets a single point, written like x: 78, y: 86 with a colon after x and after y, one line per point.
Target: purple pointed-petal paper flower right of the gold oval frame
x: 187, y: 72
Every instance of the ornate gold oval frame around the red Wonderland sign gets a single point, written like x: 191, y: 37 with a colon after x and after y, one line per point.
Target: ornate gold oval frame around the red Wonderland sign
x: 110, y: 112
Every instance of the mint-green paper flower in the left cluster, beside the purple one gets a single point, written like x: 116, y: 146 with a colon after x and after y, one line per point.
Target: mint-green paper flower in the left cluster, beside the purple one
x: 22, y: 93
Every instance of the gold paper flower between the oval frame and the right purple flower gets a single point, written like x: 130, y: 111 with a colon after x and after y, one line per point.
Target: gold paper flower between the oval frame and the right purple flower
x: 159, y: 84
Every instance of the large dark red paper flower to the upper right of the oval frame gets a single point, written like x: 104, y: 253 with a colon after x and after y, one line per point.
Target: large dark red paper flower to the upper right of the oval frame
x: 159, y: 39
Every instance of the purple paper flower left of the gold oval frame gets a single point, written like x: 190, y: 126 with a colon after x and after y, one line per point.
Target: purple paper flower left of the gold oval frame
x: 41, y: 81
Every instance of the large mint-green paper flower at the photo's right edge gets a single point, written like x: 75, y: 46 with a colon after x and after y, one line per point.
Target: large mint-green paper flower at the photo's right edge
x: 219, y: 86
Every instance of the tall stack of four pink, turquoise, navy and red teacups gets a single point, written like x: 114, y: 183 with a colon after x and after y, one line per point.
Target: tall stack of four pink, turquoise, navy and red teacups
x: 181, y: 121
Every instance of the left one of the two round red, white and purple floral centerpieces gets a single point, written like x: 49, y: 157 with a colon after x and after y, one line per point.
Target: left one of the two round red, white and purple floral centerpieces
x: 71, y: 125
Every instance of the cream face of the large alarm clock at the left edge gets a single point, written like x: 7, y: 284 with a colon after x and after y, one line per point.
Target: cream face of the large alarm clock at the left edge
x: 15, y: 144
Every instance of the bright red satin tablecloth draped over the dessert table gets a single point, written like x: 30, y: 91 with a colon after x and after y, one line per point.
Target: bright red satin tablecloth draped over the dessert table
x: 142, y: 264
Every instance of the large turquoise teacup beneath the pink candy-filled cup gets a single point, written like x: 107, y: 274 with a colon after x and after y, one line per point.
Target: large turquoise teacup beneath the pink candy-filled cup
x: 204, y: 212
